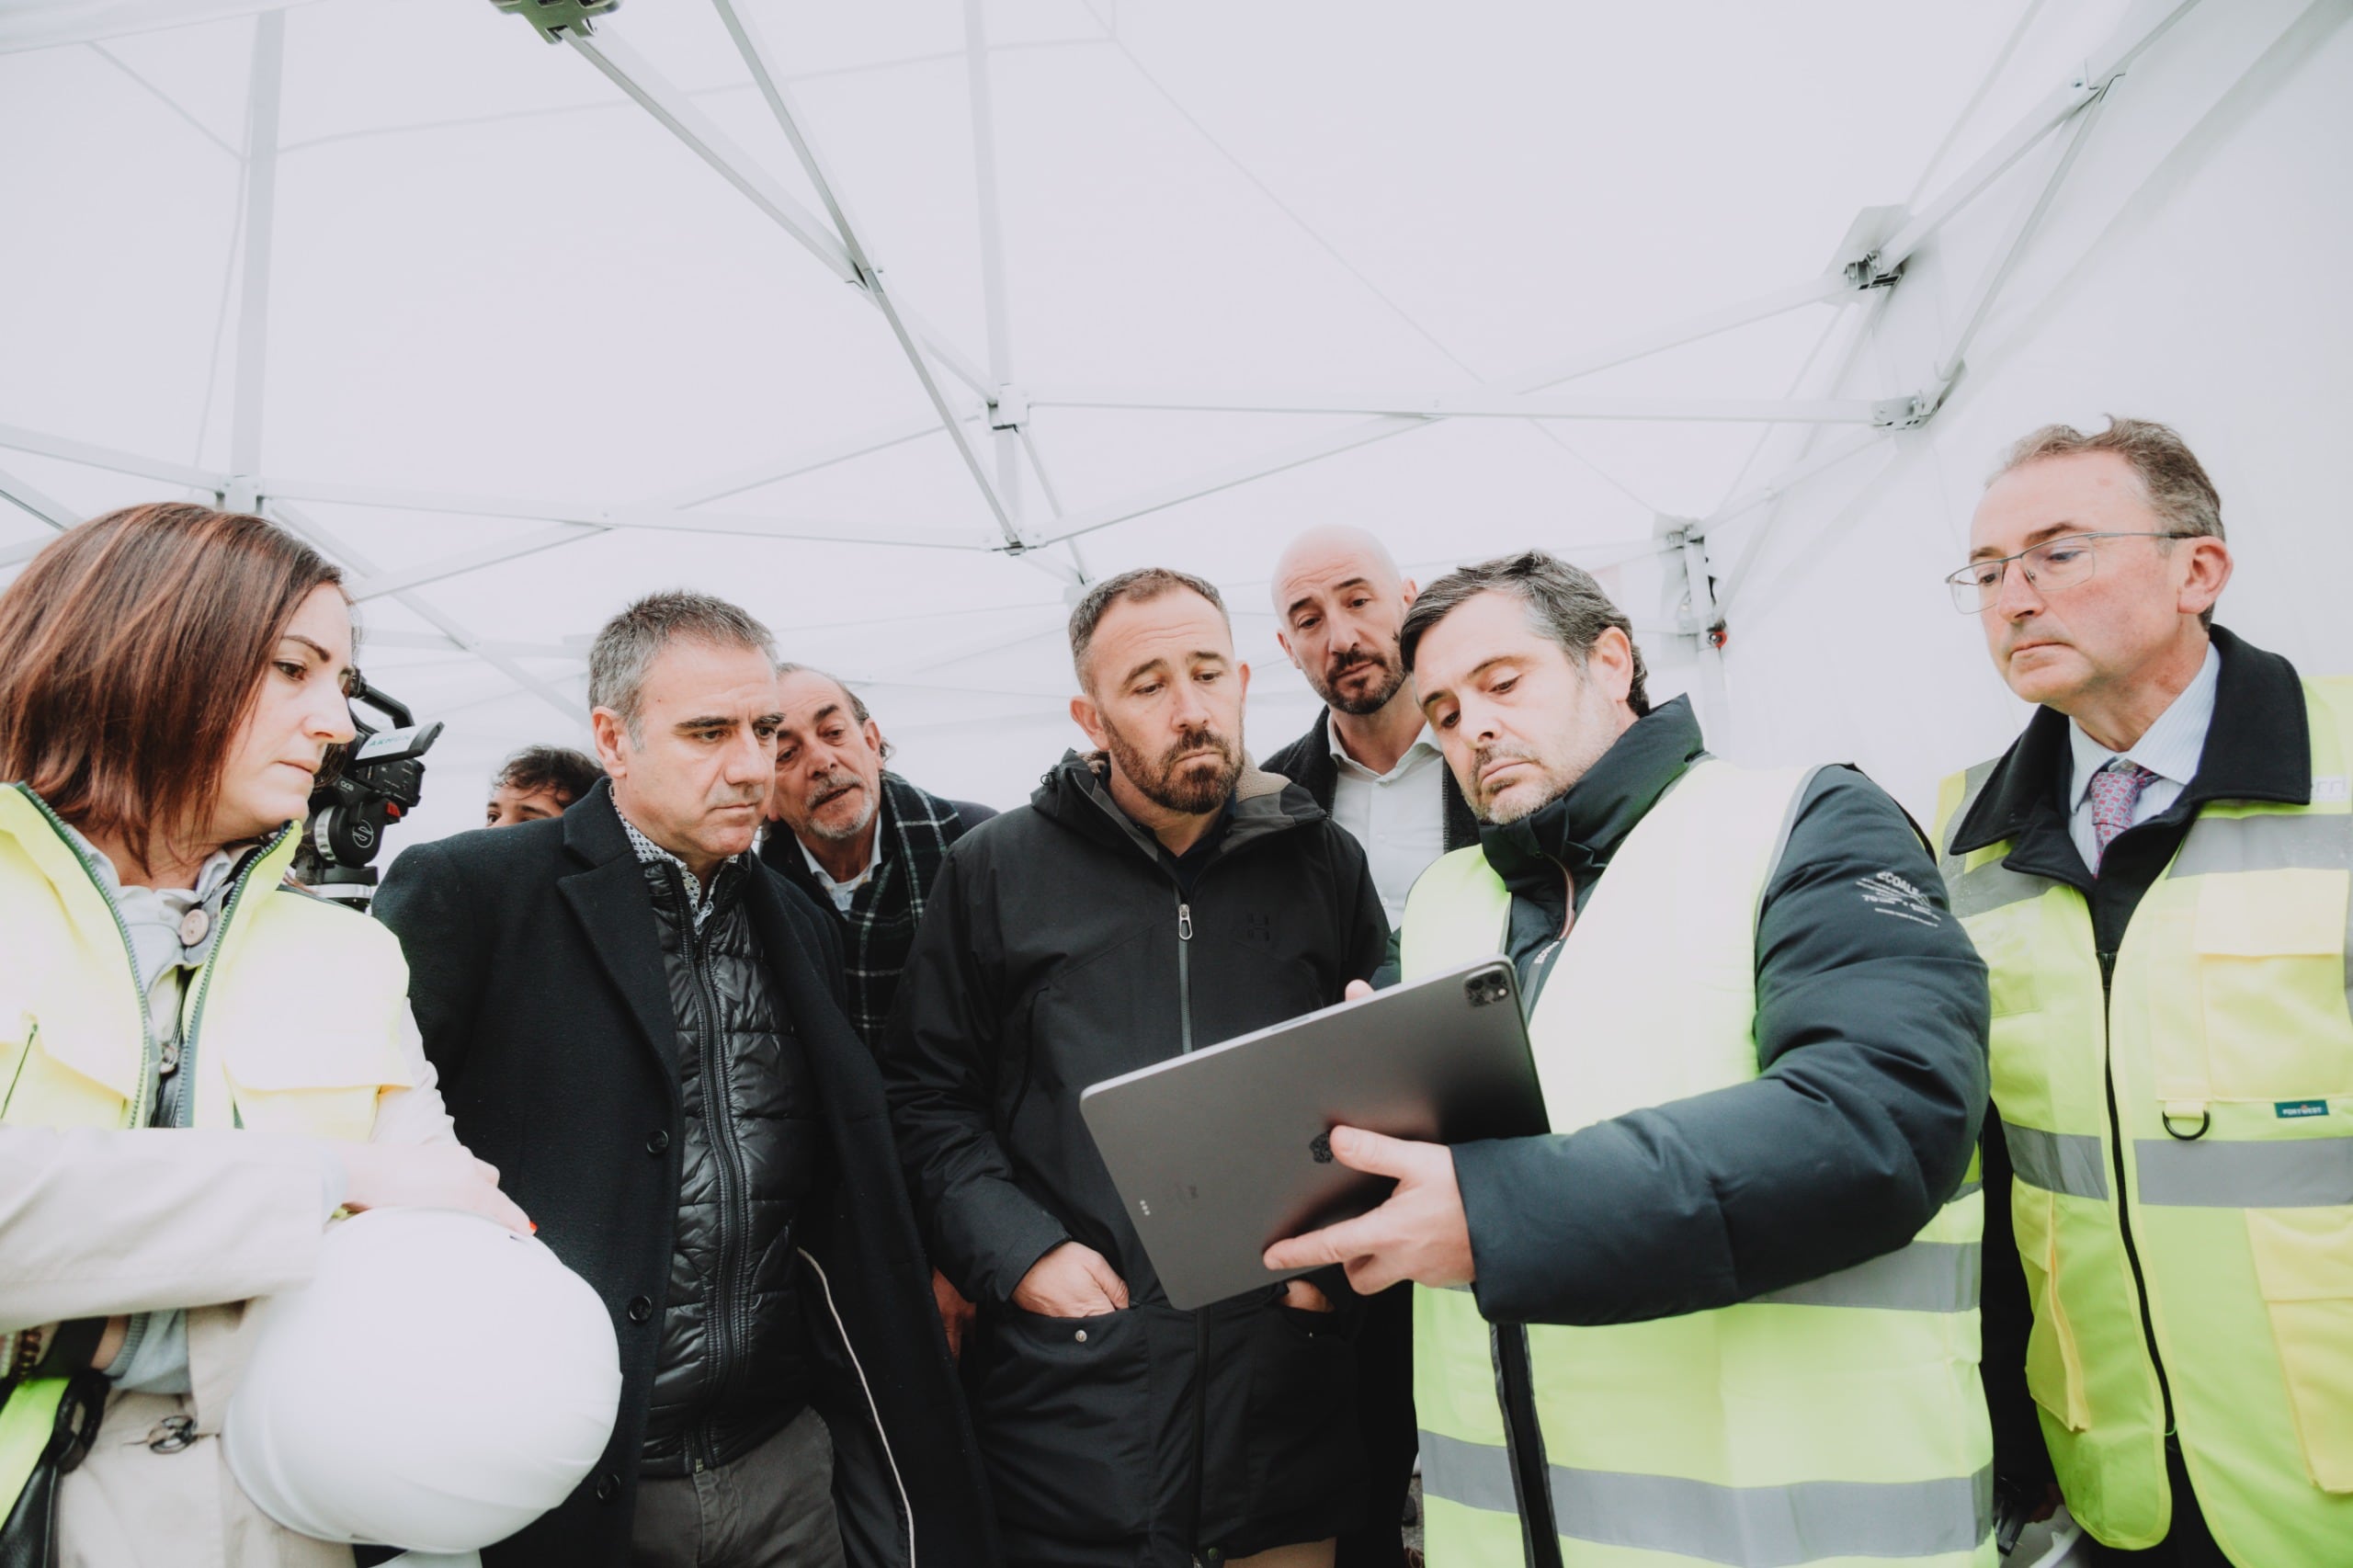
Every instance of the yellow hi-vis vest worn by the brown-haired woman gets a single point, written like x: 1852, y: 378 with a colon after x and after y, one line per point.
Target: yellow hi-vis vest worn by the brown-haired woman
x: 293, y: 1025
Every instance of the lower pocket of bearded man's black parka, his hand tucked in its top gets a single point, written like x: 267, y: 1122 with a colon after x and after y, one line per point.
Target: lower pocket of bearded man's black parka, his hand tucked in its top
x: 1062, y: 1411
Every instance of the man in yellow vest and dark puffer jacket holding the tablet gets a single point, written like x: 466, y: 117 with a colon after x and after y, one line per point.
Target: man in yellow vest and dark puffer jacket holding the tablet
x: 1726, y: 1313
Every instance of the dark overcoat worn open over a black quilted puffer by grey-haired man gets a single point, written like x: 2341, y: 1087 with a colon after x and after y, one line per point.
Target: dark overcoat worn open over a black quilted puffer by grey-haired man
x: 540, y: 990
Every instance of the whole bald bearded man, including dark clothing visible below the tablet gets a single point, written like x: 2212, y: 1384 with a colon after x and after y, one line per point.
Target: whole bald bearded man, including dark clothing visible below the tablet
x: 1371, y: 762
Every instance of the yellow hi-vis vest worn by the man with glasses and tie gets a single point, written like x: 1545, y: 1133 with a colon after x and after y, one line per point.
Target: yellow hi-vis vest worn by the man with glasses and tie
x: 2213, y: 1094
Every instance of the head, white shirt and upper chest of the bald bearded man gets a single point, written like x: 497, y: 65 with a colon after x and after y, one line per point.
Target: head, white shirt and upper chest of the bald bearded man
x: 1368, y: 759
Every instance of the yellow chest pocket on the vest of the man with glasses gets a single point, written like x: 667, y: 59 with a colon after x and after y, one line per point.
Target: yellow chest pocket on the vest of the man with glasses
x: 2272, y: 985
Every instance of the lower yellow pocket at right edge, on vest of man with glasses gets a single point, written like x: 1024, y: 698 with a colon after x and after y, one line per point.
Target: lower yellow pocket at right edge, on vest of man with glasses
x: 2305, y: 1270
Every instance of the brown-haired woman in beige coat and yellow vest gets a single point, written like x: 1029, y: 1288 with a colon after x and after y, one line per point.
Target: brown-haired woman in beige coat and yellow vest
x: 199, y: 1063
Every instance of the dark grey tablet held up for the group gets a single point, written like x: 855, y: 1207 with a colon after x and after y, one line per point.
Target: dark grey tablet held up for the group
x: 1222, y: 1152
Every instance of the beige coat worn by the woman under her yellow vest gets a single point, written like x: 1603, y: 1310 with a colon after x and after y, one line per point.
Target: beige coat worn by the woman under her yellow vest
x: 204, y: 1221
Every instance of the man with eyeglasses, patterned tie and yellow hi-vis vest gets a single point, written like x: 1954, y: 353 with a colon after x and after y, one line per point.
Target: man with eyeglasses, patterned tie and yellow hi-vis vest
x: 2157, y: 875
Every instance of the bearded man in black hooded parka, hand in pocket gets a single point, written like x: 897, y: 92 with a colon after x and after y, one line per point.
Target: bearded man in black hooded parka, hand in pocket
x: 1154, y: 898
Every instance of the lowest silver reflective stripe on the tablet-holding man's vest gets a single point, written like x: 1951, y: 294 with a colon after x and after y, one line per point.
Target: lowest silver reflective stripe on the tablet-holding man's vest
x: 1754, y: 1527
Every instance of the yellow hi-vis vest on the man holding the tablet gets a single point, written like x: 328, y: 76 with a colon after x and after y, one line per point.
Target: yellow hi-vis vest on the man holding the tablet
x: 1832, y: 1423
